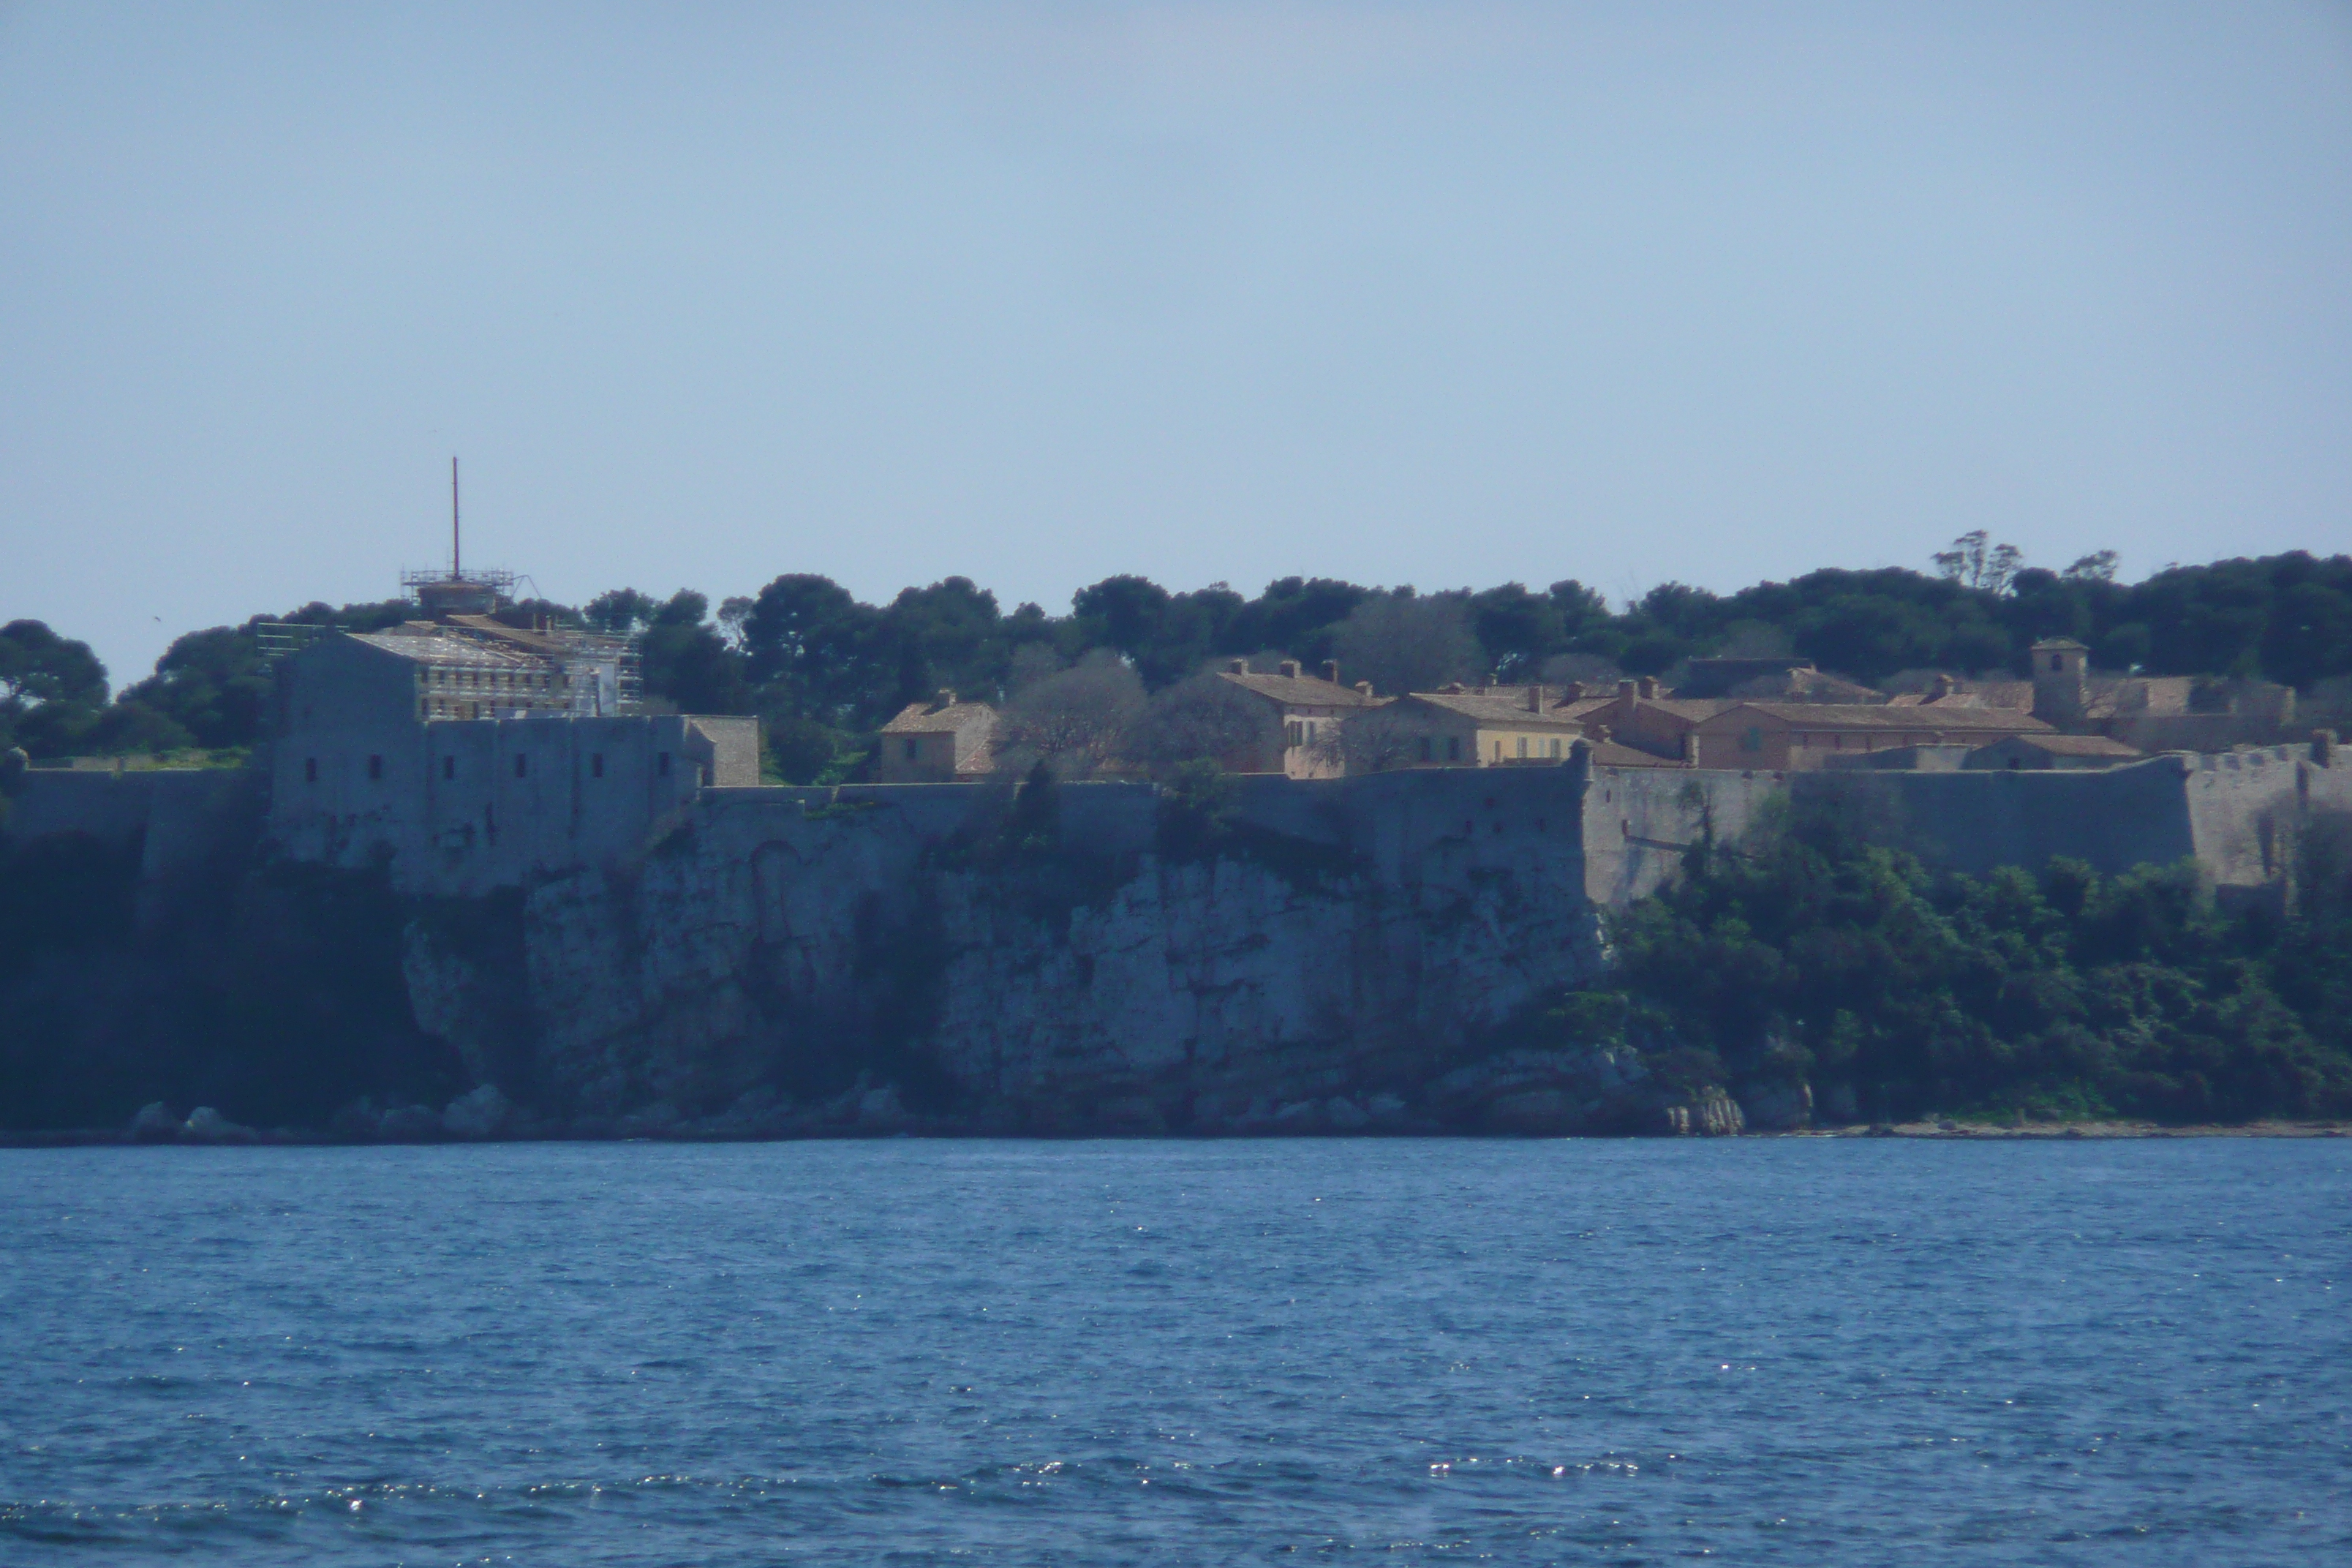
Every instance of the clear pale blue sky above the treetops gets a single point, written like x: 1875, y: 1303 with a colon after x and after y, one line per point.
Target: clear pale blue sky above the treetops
x: 1436, y: 295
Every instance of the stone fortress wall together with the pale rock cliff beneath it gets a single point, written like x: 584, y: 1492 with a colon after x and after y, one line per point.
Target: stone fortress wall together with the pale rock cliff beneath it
x: 1321, y: 956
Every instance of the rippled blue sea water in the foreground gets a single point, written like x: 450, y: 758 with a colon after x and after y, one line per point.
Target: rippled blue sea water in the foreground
x: 1187, y: 1353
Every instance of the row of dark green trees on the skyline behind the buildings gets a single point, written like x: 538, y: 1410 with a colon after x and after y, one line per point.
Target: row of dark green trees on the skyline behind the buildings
x: 824, y: 669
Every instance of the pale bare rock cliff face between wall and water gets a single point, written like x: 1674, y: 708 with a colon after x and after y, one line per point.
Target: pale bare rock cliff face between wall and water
x: 1104, y: 993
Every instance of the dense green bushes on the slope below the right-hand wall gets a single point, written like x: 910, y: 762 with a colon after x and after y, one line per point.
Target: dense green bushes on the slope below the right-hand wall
x: 1812, y: 951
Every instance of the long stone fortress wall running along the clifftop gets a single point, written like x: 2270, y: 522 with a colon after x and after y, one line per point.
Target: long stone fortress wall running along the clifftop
x: 467, y: 808
